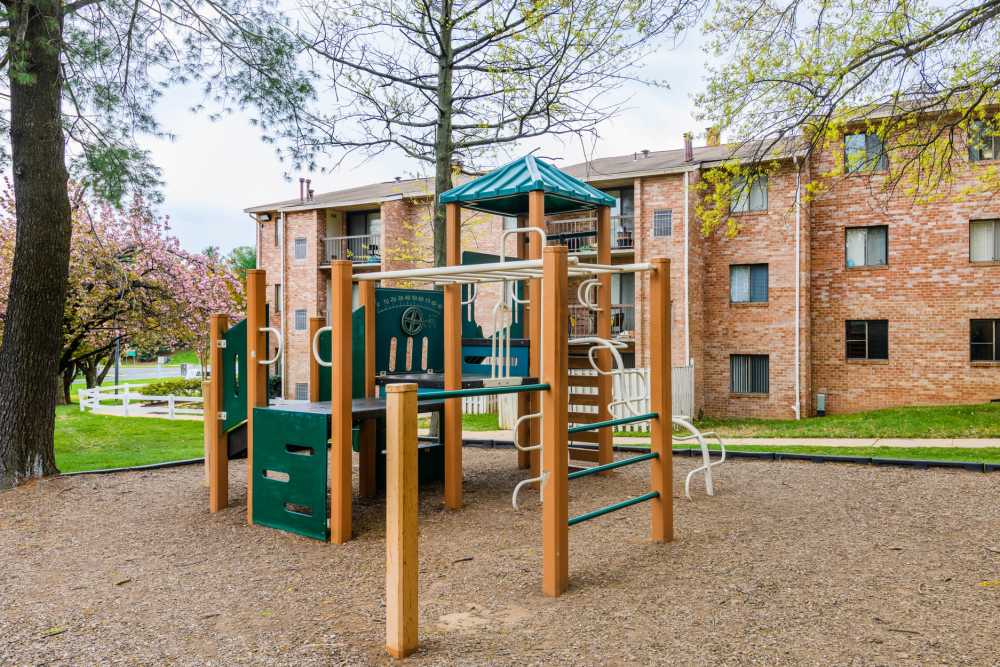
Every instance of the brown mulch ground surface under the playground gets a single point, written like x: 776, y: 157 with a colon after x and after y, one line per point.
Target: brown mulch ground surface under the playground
x: 790, y: 563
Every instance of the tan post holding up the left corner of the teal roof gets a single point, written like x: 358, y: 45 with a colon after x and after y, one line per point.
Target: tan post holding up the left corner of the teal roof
x: 453, y: 364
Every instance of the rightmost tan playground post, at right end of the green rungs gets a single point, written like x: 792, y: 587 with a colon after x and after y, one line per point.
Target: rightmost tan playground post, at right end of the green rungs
x: 661, y: 471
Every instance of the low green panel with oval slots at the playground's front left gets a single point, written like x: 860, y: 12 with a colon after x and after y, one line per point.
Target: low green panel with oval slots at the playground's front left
x: 290, y: 471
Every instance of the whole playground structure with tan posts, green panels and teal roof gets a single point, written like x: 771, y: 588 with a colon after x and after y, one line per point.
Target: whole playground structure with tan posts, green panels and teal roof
x: 426, y: 356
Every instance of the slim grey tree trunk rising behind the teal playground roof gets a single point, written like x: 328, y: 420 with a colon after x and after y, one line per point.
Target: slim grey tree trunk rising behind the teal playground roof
x: 443, y: 146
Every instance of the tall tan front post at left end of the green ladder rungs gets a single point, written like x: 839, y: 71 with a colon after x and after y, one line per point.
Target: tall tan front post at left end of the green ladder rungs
x: 555, y: 450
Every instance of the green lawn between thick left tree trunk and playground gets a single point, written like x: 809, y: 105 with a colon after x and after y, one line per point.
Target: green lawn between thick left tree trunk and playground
x: 85, y: 441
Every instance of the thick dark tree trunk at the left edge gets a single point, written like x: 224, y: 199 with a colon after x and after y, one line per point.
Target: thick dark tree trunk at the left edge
x: 33, y: 330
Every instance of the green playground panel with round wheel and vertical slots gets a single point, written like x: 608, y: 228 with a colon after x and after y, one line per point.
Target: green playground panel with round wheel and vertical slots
x: 408, y: 314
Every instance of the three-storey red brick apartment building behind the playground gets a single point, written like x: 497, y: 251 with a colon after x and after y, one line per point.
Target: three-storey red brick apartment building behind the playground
x: 867, y: 302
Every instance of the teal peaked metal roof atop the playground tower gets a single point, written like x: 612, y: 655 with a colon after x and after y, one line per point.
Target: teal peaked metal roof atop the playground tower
x: 504, y: 191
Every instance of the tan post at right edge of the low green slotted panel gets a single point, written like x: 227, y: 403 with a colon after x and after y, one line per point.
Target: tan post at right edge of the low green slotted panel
x: 340, y: 403
